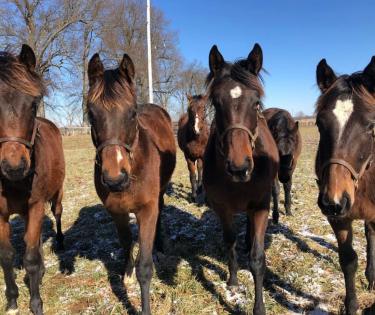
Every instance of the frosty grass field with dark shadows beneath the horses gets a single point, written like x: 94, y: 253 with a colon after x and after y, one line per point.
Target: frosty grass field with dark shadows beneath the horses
x: 303, y: 273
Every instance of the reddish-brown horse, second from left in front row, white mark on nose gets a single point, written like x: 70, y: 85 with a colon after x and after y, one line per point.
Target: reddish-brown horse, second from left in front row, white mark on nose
x: 135, y: 159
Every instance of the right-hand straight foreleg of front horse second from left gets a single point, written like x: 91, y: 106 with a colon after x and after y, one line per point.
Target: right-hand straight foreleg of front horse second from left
x: 147, y: 219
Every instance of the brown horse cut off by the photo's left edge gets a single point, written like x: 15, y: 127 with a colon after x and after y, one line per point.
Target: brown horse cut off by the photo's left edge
x: 32, y: 171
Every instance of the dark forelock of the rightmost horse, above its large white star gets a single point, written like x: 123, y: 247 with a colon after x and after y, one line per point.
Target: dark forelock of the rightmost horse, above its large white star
x: 345, y: 87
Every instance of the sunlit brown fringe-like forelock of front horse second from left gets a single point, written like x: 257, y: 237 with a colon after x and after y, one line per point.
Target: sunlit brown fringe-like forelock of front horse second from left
x: 112, y: 91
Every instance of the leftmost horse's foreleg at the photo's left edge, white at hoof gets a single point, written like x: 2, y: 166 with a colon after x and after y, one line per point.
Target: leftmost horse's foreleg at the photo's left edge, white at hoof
x: 6, y: 261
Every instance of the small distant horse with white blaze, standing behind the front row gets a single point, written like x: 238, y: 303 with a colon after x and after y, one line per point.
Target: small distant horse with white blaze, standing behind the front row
x: 192, y: 137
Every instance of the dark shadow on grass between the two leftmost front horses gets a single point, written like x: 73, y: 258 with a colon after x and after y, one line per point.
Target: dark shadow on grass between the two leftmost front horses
x: 93, y: 236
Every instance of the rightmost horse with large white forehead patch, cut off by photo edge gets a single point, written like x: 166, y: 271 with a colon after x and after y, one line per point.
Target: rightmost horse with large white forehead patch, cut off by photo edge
x: 344, y: 164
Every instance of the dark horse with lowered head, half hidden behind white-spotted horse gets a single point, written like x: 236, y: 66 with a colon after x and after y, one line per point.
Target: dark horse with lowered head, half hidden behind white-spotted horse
x: 288, y: 139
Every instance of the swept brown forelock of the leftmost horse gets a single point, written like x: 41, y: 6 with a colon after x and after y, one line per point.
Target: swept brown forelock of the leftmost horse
x: 15, y: 74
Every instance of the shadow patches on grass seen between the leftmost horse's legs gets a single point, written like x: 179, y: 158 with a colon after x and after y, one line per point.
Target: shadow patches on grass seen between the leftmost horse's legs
x: 17, y: 224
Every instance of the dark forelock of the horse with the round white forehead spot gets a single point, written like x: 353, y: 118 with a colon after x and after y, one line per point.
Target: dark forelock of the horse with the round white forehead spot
x: 238, y: 72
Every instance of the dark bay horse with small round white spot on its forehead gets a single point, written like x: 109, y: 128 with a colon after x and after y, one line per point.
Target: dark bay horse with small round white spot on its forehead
x: 241, y: 159
